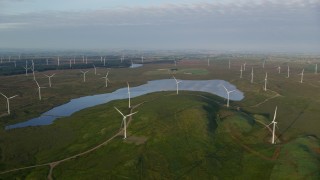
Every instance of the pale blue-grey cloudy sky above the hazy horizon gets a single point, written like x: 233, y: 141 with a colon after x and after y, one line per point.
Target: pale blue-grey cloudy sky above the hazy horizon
x: 231, y: 25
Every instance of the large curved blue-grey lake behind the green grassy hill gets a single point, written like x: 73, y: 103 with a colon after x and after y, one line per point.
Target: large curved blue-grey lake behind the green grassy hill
x: 210, y: 86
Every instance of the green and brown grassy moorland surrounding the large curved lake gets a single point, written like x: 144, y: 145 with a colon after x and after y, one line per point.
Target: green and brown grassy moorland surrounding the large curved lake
x: 192, y: 135
